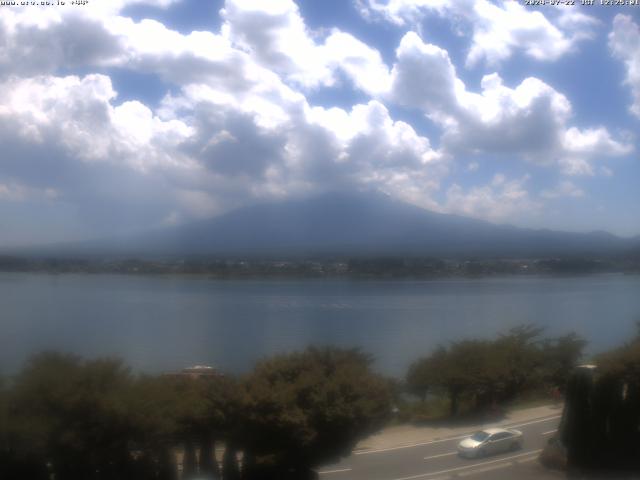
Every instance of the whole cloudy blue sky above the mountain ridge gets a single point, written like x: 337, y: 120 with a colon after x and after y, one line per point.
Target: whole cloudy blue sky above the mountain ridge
x: 124, y: 115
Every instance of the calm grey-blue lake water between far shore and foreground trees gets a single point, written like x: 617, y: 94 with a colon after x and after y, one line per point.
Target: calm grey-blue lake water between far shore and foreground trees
x: 164, y: 323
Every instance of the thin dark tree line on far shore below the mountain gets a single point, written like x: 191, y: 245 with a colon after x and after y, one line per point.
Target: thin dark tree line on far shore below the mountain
x: 327, y: 266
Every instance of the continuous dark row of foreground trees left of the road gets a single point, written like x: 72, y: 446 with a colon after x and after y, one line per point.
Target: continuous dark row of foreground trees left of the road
x: 68, y: 418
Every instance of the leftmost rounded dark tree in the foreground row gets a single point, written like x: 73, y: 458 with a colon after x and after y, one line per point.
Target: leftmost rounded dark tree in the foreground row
x: 73, y: 415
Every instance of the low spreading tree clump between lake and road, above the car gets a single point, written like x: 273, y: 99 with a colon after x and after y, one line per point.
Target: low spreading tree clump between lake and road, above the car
x: 491, y: 372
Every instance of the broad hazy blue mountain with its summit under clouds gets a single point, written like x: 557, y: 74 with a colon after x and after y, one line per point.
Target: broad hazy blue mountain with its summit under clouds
x: 353, y: 223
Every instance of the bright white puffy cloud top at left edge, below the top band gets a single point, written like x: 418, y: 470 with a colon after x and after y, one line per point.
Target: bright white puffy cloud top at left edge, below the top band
x: 77, y: 113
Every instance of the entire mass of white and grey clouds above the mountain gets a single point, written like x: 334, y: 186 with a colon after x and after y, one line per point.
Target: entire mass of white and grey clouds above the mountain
x: 237, y: 126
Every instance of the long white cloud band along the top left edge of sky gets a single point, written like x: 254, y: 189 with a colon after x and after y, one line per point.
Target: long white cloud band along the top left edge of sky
x: 256, y: 42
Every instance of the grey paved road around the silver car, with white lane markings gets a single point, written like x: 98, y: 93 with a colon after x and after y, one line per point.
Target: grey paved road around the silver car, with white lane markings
x: 438, y: 460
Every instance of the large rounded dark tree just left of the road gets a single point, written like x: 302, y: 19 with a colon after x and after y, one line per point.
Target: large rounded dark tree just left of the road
x: 307, y: 408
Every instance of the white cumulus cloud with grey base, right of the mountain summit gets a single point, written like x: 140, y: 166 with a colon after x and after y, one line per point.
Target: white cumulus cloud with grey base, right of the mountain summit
x: 530, y: 121
